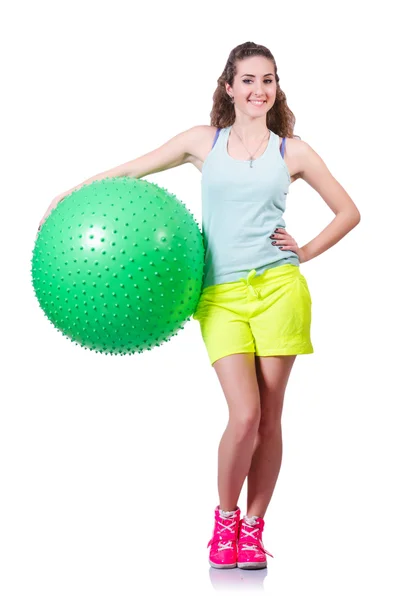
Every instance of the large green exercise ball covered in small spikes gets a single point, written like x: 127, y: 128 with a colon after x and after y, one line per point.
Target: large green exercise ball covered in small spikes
x: 118, y: 265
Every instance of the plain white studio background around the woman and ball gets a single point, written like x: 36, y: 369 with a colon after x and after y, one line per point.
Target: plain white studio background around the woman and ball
x: 108, y: 465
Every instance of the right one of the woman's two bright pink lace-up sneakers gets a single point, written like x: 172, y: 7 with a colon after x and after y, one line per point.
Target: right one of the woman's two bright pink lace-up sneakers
x: 251, y: 553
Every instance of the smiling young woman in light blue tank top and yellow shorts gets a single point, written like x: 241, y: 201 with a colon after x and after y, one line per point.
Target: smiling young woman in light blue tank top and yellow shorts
x: 255, y: 307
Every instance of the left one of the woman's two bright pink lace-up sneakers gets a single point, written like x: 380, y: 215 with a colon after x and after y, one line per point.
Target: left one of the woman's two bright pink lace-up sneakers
x: 223, y: 553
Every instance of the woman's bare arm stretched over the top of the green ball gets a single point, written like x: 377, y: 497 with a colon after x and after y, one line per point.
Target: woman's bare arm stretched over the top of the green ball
x: 175, y: 152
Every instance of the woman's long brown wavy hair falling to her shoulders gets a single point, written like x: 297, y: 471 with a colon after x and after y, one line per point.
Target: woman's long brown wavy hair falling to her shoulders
x: 280, y: 119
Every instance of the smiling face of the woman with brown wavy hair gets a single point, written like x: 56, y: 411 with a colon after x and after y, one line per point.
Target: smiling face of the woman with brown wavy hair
x: 255, y: 78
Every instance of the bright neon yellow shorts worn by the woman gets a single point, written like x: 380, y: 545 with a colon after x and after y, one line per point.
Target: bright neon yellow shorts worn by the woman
x: 268, y: 314
